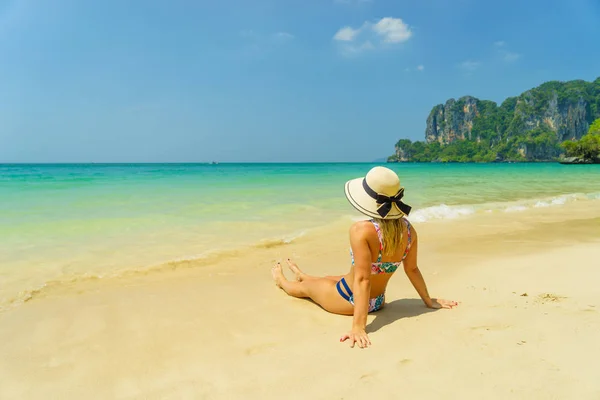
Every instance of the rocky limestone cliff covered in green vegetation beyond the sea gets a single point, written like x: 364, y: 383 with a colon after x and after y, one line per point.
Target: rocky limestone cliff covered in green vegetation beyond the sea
x: 530, y: 127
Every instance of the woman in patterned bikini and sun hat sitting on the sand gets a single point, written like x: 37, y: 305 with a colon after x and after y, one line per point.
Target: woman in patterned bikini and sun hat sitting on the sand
x: 378, y: 247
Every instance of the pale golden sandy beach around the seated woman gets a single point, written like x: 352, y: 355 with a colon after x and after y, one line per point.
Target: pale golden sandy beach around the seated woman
x: 217, y: 327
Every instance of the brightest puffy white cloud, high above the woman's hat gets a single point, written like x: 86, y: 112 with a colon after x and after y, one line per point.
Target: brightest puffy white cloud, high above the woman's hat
x: 372, y: 35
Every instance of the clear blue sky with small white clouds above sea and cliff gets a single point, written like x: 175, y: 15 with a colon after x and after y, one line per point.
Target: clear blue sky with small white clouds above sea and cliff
x: 266, y: 80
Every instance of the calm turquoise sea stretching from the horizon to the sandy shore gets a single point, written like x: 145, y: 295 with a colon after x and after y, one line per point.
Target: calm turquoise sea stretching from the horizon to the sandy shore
x: 64, y: 221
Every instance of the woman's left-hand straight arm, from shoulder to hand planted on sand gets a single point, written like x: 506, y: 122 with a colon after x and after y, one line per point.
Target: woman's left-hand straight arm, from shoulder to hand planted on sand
x: 361, y: 286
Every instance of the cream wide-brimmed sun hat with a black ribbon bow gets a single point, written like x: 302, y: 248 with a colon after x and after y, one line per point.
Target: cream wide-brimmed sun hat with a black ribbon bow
x: 378, y: 194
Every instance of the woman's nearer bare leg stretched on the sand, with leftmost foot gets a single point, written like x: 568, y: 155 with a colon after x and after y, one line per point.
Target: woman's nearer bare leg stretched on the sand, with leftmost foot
x: 321, y: 290
